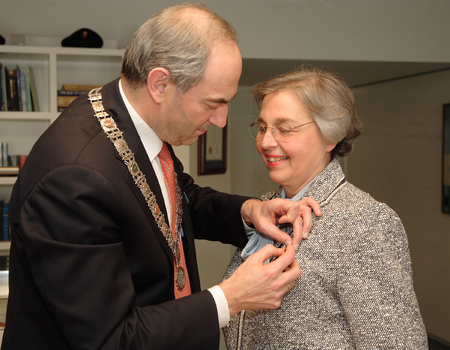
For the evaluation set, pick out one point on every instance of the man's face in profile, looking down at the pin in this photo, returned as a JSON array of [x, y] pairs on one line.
[[189, 115]]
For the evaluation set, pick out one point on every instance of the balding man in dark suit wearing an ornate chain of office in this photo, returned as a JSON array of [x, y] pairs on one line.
[[94, 264]]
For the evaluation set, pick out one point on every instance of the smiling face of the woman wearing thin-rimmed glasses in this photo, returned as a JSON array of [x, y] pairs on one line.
[[295, 162]]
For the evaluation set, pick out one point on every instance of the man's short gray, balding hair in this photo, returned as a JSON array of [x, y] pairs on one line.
[[180, 39]]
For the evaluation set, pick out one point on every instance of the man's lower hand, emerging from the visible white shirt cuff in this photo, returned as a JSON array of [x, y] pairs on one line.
[[257, 286]]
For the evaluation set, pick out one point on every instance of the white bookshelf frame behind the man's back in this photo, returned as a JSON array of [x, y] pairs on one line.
[[52, 67]]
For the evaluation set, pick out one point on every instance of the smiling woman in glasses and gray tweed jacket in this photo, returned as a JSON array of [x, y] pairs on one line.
[[356, 289]]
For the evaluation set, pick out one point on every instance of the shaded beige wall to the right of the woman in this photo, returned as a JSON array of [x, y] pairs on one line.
[[398, 160]]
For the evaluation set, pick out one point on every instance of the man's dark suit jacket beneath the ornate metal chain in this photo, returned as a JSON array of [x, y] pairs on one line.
[[89, 268]]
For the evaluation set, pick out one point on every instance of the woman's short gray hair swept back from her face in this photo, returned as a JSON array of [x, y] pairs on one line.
[[329, 100]]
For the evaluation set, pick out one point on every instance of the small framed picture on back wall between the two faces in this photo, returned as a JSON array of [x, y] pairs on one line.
[[212, 151]]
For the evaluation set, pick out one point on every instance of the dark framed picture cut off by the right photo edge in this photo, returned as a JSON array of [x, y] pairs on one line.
[[446, 161]]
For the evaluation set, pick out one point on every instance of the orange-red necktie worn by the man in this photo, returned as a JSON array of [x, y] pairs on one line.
[[169, 175]]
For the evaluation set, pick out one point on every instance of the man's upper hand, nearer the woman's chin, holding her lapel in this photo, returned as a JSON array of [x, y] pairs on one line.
[[266, 215]]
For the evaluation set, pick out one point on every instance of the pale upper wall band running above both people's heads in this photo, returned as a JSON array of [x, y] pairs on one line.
[[374, 30]]
